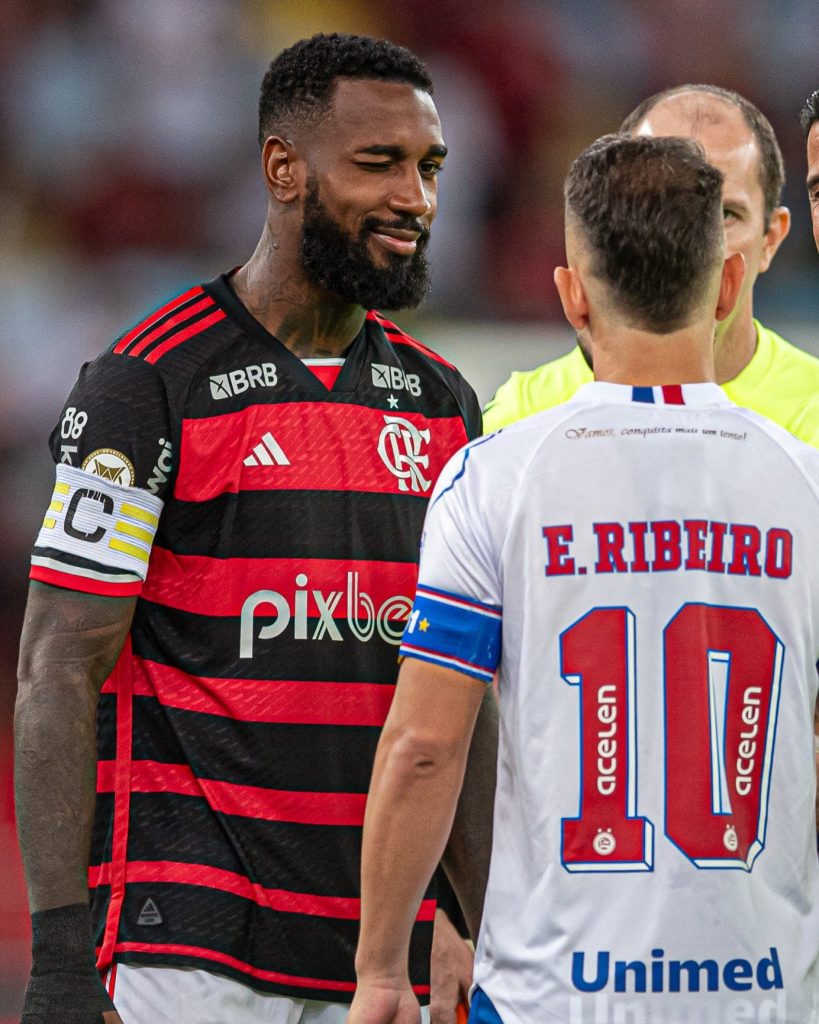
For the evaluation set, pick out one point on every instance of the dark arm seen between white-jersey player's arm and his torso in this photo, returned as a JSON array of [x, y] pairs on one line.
[[468, 851]]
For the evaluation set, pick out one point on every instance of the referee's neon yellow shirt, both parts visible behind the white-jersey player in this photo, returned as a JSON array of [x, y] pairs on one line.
[[781, 381]]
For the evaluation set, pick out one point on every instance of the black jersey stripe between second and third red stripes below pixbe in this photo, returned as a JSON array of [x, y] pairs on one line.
[[319, 860]]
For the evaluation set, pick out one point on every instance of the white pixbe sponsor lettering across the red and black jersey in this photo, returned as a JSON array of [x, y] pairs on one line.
[[316, 608]]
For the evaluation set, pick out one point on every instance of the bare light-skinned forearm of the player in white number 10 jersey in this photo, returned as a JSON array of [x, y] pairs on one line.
[[409, 817]]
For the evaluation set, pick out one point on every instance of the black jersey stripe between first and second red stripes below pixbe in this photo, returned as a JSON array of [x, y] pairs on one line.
[[334, 758]]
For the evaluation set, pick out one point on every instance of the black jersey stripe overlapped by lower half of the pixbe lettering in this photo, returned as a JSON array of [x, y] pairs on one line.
[[158, 631]]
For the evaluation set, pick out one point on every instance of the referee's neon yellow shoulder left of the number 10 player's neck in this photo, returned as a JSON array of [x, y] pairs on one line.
[[531, 392]]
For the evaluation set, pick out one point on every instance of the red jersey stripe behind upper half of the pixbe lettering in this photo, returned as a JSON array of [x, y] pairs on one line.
[[221, 586]]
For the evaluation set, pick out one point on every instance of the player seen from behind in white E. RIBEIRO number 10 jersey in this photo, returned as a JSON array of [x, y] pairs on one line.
[[640, 568]]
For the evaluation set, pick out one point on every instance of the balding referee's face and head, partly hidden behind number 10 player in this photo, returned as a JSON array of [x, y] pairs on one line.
[[731, 148]]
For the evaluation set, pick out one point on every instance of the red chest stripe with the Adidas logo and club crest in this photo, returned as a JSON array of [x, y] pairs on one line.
[[315, 447]]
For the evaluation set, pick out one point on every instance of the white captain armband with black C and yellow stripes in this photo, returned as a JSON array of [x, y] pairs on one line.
[[97, 535]]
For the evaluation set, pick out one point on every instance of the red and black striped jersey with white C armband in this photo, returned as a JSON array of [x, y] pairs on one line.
[[238, 731]]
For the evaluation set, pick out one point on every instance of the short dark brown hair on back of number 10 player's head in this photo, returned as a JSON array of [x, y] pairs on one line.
[[651, 211]]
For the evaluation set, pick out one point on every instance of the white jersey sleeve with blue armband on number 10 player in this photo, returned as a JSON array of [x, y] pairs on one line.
[[457, 613]]
